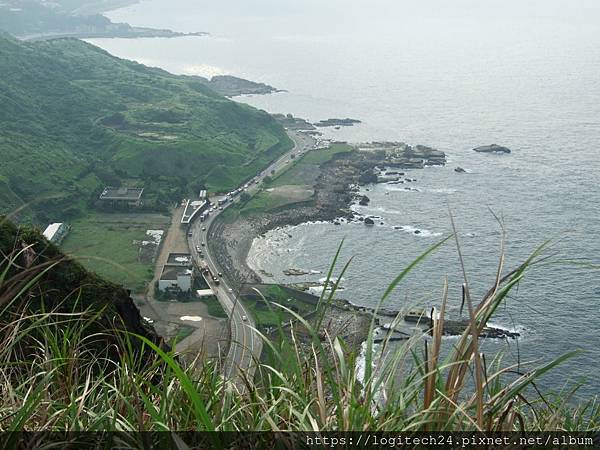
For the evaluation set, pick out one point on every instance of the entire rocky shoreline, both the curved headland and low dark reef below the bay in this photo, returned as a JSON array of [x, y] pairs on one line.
[[336, 189]]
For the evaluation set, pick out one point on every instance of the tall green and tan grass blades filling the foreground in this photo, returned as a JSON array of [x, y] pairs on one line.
[[305, 384]]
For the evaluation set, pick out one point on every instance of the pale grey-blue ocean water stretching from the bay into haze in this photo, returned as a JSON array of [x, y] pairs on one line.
[[453, 76]]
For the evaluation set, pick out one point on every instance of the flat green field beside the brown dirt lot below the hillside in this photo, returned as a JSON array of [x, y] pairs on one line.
[[103, 243]]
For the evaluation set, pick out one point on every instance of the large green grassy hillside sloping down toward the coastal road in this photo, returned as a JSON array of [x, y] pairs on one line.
[[74, 118]]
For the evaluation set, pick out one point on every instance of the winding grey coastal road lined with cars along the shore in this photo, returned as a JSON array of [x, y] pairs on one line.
[[246, 344]]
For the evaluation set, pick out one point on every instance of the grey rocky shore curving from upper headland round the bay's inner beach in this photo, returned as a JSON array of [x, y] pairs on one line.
[[336, 189]]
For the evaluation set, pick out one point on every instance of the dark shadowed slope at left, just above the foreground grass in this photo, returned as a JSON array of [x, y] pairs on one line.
[[39, 278]]
